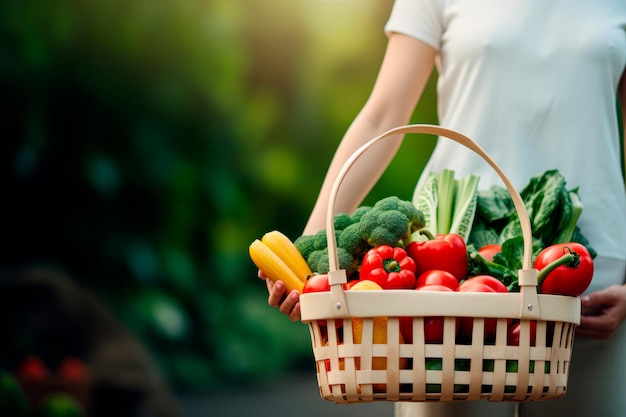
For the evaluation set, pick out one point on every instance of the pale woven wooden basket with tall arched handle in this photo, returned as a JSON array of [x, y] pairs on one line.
[[454, 370]]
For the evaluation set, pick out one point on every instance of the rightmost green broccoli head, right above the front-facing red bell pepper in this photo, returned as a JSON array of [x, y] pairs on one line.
[[390, 221]]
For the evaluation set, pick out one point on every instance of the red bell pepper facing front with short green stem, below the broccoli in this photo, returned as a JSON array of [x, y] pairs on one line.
[[389, 267]]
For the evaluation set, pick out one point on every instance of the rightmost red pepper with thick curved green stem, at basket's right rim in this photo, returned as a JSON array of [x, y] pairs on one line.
[[564, 269]]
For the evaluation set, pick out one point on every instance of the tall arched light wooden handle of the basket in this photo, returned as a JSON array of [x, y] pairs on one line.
[[527, 276]]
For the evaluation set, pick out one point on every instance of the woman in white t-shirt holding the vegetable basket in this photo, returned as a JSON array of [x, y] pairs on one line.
[[535, 83]]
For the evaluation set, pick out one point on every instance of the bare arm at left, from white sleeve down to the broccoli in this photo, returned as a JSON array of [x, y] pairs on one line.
[[404, 72]]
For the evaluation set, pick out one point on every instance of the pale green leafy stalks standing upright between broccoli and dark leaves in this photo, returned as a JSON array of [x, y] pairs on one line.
[[448, 204]]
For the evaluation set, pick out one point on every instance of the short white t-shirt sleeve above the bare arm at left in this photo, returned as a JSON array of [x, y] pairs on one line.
[[420, 19]]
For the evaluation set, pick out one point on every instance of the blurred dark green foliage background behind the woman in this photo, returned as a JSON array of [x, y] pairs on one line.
[[146, 144]]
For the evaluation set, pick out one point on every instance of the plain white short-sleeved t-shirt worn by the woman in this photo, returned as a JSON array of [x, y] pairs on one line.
[[534, 83]]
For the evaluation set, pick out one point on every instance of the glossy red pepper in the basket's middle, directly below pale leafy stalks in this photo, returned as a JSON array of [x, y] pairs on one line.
[[444, 252]]
